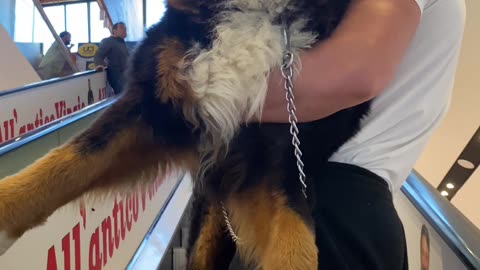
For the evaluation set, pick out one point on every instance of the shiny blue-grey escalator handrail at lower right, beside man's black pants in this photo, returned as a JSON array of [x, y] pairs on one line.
[[459, 233]]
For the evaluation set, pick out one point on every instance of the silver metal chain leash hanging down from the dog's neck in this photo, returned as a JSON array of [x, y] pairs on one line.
[[287, 74]]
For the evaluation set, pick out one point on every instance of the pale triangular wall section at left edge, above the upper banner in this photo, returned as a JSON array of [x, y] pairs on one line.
[[15, 71]]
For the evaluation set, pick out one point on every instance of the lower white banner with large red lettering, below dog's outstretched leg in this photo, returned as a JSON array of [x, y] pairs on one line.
[[100, 235]]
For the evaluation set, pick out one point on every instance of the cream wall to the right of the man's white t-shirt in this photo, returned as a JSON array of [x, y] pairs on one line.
[[460, 123]]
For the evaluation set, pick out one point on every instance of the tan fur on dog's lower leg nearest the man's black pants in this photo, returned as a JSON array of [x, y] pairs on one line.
[[272, 235]]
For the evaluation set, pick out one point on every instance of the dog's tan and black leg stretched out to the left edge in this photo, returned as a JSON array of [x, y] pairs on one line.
[[121, 147]]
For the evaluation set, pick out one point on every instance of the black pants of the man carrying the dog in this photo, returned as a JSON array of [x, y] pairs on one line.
[[357, 226]]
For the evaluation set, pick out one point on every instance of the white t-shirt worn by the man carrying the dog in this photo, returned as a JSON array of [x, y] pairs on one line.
[[405, 114]]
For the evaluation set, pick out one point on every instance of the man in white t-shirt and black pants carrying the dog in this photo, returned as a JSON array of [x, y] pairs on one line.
[[404, 54]]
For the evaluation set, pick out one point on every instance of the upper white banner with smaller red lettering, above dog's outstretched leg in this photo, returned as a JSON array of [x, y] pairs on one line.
[[24, 111]]
